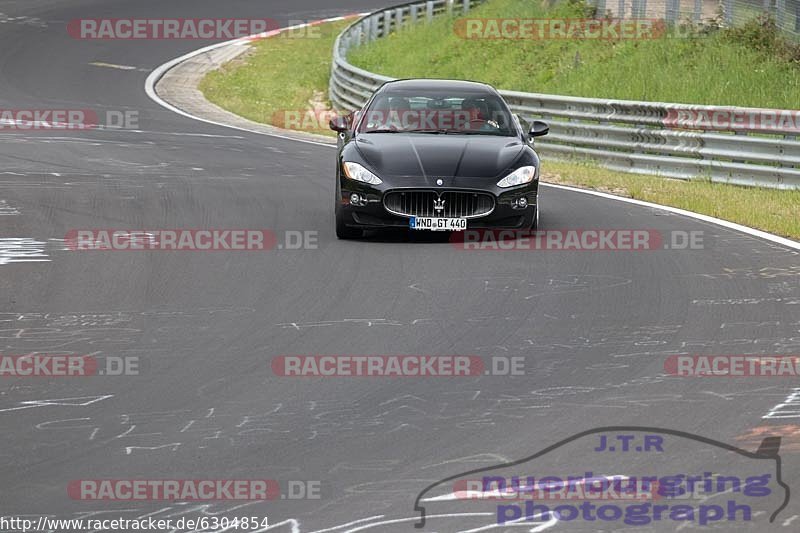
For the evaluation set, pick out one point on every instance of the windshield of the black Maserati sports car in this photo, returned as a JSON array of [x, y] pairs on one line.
[[409, 112]]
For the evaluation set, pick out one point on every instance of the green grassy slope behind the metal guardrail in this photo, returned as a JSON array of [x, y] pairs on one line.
[[718, 69]]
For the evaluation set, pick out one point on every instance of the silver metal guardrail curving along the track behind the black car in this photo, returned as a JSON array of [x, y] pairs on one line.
[[642, 137]]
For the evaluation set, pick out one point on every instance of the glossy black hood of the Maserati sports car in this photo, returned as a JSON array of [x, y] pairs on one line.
[[433, 156]]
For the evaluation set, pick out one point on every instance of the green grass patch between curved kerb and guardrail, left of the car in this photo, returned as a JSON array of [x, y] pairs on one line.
[[279, 74]]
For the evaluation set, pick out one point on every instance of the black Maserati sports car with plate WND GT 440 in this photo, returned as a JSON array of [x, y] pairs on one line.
[[438, 155]]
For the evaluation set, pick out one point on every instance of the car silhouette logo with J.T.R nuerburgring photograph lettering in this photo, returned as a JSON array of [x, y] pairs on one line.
[[506, 491]]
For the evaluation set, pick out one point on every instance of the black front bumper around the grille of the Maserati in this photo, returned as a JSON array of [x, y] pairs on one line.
[[374, 215]]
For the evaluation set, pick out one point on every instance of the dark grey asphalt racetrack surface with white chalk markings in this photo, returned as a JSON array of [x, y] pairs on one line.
[[594, 328]]
